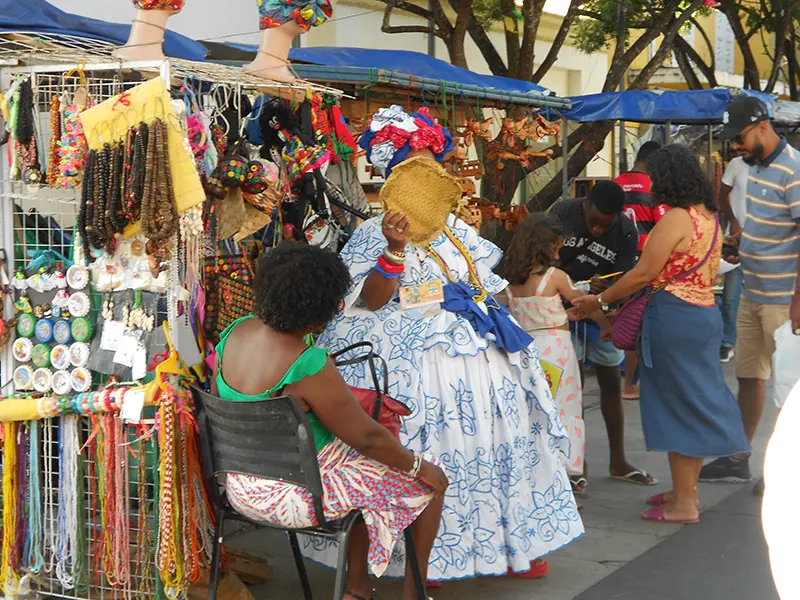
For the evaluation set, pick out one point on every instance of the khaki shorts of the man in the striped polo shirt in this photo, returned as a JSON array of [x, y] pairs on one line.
[[755, 331]]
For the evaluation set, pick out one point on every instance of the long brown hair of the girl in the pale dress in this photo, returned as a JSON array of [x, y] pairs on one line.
[[531, 247]]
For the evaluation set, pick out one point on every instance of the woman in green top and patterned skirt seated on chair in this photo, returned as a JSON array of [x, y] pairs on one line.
[[298, 289]]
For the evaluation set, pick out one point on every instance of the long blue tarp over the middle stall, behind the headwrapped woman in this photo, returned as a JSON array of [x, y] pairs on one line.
[[412, 63]]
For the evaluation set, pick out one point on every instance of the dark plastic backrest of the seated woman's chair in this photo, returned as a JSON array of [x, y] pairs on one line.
[[270, 439]]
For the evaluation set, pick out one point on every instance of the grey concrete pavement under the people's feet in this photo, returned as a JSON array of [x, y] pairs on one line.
[[621, 556]]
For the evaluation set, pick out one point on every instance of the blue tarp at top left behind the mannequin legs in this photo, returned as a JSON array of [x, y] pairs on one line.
[[38, 16]]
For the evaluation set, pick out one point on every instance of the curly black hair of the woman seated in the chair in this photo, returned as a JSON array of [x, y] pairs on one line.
[[299, 288]]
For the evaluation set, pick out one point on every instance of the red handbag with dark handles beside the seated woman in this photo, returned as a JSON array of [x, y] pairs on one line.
[[376, 402]]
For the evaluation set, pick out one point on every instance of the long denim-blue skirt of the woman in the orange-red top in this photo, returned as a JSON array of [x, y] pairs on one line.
[[685, 403]]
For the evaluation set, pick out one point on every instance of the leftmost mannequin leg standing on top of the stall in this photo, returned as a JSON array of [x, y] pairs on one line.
[[147, 30]]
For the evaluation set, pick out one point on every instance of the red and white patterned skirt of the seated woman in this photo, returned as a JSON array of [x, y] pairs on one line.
[[388, 499]]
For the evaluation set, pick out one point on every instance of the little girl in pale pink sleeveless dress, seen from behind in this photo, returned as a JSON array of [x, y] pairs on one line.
[[536, 294]]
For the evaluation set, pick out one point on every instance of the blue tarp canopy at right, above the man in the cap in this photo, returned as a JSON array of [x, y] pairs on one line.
[[675, 106]]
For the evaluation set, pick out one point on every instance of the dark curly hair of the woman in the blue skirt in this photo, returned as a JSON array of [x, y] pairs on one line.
[[677, 178]]
